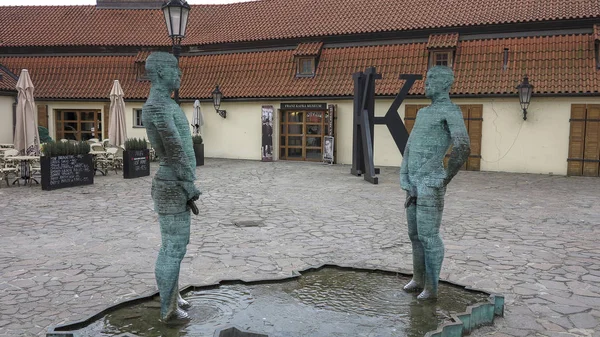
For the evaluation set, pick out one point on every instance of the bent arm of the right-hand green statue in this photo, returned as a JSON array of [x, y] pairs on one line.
[[461, 147]]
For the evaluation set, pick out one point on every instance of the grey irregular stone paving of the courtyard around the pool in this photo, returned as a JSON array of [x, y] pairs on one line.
[[69, 253]]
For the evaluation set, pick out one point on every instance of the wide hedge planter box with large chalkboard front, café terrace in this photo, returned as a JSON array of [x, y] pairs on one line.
[[66, 164]]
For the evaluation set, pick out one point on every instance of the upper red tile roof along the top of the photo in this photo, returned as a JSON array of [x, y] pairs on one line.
[[270, 19]]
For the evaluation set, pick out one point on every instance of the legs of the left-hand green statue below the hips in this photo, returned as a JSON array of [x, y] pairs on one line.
[[175, 233]]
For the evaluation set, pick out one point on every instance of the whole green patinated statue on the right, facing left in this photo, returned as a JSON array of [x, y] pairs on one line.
[[423, 177]]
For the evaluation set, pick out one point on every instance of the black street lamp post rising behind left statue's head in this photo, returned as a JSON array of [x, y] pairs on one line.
[[176, 14]]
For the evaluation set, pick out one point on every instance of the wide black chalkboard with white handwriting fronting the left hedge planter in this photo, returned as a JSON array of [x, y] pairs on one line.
[[66, 171]]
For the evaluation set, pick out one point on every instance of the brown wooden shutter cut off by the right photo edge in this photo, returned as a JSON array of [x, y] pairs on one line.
[[591, 150]]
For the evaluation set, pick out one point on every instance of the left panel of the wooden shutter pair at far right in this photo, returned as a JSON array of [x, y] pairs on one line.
[[576, 140]]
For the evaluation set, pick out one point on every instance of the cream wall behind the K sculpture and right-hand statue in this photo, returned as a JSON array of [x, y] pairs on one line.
[[509, 144]]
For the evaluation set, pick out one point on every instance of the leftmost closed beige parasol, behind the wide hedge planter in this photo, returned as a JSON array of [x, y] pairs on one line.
[[27, 138]]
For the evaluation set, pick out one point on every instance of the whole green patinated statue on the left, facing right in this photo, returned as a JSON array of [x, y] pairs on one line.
[[173, 188]]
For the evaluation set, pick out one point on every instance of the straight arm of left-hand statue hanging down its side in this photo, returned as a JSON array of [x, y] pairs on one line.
[[175, 155]]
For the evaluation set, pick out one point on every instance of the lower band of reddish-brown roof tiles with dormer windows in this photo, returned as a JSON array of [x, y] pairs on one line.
[[555, 65]]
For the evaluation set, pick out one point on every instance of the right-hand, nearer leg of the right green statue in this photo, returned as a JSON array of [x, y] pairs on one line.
[[430, 207]]
